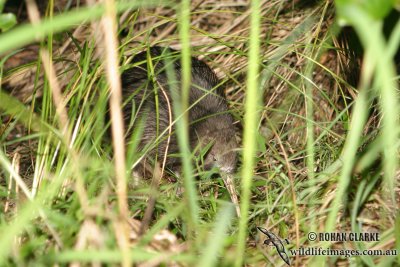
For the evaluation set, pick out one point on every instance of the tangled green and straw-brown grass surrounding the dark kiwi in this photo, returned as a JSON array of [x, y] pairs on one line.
[[317, 154]]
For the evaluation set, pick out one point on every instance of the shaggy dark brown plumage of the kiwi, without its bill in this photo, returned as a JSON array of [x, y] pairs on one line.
[[209, 119]]
